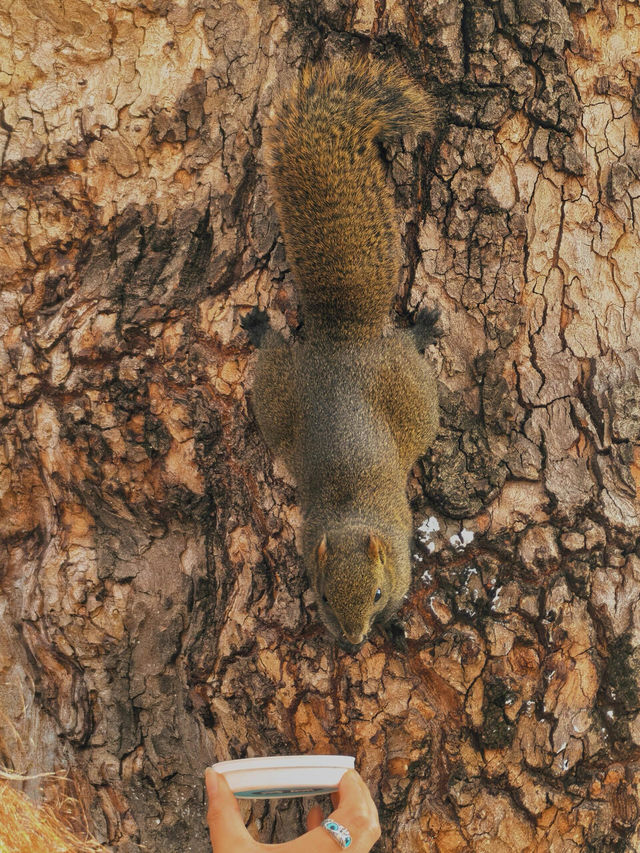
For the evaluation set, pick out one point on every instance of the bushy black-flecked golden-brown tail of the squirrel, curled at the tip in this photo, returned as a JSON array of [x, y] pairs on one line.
[[335, 209]]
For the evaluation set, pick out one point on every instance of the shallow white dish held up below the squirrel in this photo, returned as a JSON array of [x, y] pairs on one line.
[[277, 776]]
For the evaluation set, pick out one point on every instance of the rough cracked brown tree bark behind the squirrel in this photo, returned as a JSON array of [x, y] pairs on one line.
[[155, 615]]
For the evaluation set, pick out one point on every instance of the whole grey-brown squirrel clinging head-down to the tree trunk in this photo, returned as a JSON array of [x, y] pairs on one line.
[[351, 405]]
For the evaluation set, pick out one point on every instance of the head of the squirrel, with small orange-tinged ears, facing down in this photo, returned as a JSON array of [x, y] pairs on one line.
[[355, 574]]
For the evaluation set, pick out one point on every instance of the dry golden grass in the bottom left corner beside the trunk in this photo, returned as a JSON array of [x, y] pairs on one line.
[[28, 828]]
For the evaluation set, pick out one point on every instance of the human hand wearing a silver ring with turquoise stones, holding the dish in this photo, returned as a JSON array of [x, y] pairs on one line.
[[353, 808]]
